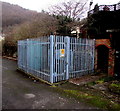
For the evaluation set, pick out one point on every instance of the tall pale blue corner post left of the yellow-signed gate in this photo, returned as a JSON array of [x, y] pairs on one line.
[[51, 57]]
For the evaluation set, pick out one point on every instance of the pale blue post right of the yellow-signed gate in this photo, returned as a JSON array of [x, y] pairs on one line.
[[67, 57]]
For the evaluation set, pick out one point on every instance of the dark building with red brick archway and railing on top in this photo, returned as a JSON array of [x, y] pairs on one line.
[[104, 26]]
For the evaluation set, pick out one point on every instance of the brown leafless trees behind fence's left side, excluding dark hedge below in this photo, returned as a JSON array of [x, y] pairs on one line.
[[42, 25]]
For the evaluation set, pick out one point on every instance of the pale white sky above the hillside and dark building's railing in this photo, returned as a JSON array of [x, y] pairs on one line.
[[38, 5]]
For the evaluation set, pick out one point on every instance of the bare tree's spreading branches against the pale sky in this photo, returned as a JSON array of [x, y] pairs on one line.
[[73, 9]]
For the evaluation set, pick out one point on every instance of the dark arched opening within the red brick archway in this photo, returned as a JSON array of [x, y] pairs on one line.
[[102, 58]]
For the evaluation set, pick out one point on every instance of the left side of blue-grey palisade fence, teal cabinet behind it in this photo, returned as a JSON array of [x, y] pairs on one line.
[[33, 57]]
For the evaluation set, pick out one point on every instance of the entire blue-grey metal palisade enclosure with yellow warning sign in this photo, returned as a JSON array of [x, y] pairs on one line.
[[56, 58]]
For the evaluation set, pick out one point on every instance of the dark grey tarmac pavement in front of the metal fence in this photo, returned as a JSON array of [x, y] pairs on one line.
[[20, 92]]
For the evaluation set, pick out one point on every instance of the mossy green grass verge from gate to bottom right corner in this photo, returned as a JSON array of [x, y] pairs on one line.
[[88, 96]]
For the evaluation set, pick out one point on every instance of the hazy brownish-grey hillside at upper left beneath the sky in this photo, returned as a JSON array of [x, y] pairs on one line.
[[14, 14]]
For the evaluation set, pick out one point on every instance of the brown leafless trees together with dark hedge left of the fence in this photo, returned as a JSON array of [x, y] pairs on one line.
[[42, 25]]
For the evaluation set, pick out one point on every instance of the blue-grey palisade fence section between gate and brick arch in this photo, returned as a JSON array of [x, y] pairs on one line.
[[82, 57]]
